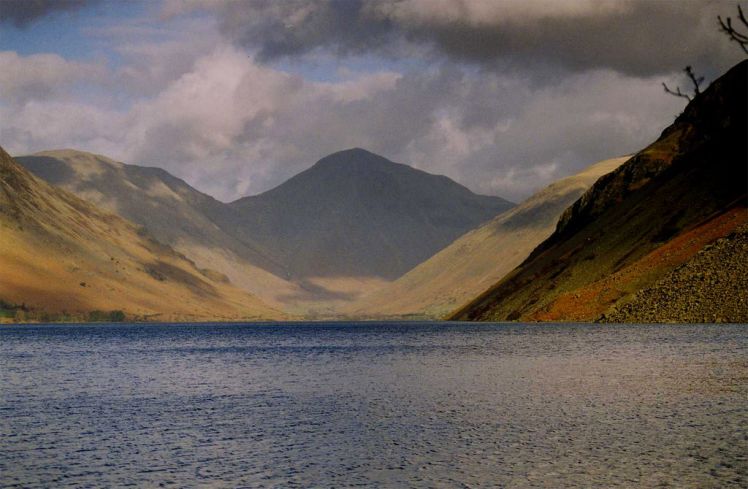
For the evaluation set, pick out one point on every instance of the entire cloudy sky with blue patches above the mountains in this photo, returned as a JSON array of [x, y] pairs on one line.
[[503, 96]]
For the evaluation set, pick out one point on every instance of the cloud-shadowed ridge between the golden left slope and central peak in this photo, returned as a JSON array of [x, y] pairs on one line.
[[170, 210]]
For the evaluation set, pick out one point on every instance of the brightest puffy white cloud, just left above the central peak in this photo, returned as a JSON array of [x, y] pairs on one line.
[[231, 124]]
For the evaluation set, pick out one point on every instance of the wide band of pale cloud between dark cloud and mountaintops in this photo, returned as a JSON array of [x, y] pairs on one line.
[[231, 125]]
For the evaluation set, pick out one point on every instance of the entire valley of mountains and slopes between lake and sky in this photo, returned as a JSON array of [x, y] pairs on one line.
[[357, 236]]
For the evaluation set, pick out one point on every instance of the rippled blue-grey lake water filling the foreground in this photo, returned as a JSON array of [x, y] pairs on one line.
[[378, 405]]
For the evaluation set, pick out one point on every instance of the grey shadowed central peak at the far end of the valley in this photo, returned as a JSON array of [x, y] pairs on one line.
[[357, 214]]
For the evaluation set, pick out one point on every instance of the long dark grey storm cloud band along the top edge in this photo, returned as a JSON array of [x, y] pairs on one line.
[[635, 37]]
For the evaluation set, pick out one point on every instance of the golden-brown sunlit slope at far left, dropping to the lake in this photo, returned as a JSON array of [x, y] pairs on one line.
[[62, 257]]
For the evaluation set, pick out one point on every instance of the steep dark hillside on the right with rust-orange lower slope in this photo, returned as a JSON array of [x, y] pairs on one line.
[[637, 225]]
